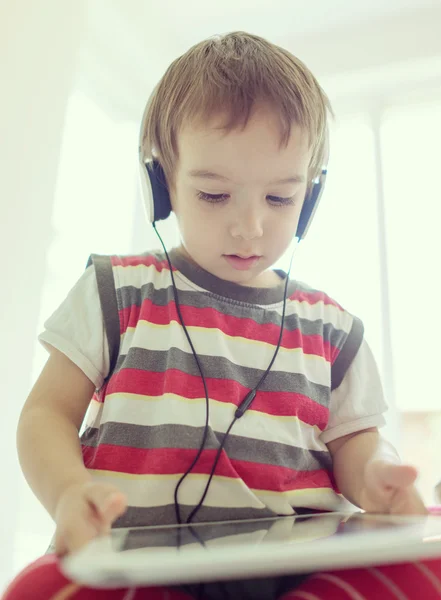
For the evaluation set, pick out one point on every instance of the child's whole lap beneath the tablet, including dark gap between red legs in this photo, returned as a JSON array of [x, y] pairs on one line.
[[43, 580]]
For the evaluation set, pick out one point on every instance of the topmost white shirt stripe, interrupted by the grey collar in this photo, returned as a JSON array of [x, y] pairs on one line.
[[141, 275]]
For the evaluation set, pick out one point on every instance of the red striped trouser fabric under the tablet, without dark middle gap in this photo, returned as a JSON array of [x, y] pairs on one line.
[[43, 580]]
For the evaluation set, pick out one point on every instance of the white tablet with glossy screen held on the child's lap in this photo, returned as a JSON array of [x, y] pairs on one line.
[[202, 552]]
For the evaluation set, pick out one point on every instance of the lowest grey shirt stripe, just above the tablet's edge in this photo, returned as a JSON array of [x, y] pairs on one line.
[[165, 515]]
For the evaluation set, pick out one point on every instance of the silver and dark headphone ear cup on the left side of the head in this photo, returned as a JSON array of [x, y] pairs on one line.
[[155, 193]]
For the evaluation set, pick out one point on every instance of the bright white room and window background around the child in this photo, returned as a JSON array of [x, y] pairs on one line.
[[75, 78]]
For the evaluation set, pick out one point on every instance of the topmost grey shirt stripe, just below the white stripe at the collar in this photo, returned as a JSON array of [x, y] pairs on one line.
[[131, 296]]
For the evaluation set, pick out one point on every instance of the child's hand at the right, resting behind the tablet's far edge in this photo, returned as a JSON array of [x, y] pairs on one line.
[[389, 488]]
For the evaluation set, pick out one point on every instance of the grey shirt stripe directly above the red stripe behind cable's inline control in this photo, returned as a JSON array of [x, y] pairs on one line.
[[221, 368]]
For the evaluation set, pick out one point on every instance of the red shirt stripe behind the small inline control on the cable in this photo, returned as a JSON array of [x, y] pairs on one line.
[[173, 381]]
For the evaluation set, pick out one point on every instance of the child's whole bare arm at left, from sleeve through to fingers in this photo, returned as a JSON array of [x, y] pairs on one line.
[[50, 455]]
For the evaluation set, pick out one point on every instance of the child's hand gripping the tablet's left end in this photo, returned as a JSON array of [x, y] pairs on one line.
[[85, 511]]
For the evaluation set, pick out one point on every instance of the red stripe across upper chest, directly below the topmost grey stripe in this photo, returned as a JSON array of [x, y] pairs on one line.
[[210, 318]]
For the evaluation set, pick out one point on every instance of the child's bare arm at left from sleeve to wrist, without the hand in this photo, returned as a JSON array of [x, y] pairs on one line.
[[47, 436]]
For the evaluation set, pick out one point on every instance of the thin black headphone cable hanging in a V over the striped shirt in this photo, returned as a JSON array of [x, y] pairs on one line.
[[244, 405]]
